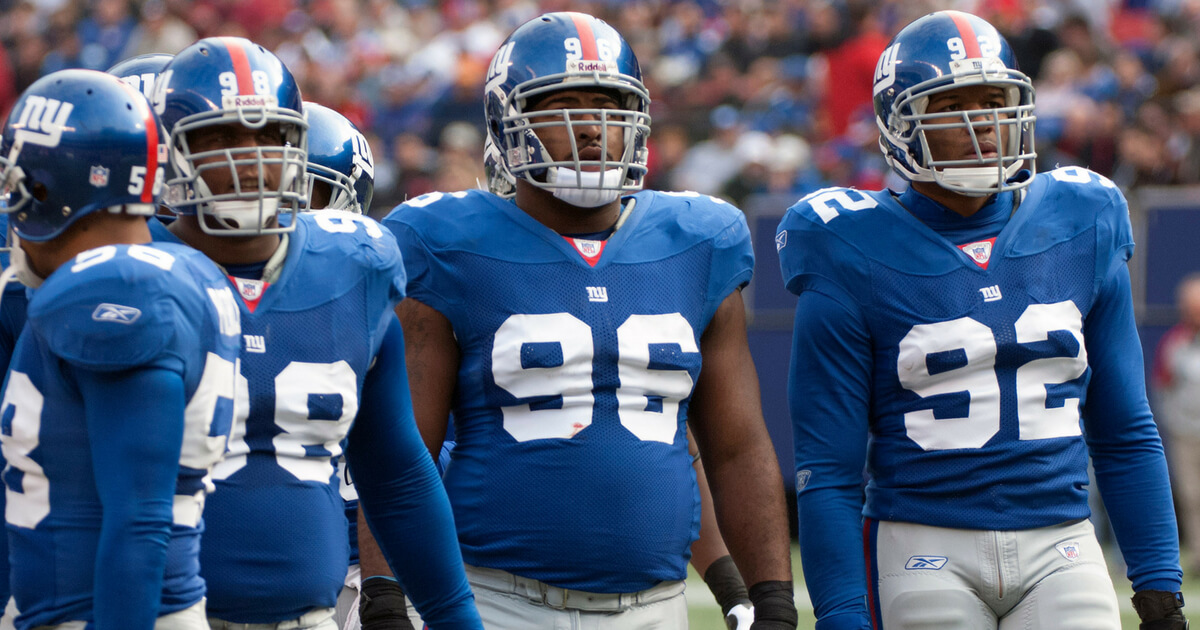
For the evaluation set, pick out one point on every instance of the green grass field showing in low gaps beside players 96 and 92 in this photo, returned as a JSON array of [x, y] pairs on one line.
[[705, 615]]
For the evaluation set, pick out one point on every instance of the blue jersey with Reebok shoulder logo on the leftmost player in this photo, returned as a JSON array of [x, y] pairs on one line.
[[111, 310]]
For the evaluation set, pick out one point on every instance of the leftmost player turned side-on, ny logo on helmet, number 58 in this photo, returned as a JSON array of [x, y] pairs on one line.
[[121, 391]]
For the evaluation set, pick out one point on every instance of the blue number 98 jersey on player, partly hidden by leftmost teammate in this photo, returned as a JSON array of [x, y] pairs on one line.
[[275, 544]]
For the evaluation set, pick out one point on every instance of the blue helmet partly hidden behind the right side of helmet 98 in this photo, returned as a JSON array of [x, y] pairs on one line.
[[339, 161]]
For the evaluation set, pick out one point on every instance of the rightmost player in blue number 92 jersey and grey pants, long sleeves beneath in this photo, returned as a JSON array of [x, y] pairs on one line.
[[970, 343]]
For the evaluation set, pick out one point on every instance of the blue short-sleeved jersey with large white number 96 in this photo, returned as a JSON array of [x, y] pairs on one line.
[[572, 464]]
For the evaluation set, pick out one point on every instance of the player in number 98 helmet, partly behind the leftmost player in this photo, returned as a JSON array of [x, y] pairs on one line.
[[323, 363]]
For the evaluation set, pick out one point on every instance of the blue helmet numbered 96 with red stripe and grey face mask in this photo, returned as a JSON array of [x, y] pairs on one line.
[[556, 52]]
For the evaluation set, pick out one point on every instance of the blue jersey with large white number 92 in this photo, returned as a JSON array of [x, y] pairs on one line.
[[979, 374]]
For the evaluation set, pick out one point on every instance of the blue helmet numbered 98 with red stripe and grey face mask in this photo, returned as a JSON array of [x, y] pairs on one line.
[[231, 81]]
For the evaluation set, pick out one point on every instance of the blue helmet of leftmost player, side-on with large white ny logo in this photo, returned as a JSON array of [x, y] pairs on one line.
[[77, 142]]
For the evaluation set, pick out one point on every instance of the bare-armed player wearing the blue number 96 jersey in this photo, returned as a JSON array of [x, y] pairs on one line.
[[566, 331]]
